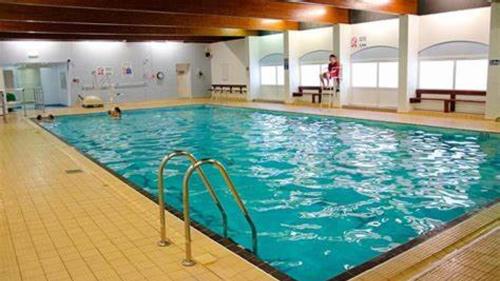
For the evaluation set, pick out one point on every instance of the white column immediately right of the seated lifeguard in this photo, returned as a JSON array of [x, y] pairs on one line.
[[342, 49]]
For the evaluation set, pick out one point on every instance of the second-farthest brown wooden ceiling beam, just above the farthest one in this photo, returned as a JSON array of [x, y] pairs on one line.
[[14, 26]]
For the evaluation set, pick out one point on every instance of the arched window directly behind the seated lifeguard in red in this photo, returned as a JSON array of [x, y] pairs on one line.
[[312, 65]]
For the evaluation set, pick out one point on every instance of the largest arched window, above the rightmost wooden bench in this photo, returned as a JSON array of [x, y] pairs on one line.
[[461, 65]]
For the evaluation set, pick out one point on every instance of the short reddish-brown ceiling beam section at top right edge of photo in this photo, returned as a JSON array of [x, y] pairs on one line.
[[379, 6]]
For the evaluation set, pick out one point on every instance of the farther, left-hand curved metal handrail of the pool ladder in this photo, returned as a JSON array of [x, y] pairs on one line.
[[161, 195]]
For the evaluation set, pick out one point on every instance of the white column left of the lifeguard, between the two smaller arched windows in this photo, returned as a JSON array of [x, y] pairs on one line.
[[291, 56]]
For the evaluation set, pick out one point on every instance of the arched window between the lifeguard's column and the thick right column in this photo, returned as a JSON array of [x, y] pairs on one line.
[[375, 67]]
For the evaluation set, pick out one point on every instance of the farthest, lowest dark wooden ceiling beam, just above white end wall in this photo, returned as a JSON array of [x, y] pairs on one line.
[[113, 37]]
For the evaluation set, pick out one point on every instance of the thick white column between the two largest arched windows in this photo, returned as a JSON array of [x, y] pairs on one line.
[[408, 60]]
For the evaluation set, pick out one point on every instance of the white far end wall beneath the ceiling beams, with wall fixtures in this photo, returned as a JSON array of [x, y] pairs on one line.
[[146, 58]]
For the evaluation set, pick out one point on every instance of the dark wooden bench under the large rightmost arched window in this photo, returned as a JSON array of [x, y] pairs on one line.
[[450, 97]]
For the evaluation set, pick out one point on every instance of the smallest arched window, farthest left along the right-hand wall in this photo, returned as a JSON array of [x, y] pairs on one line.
[[271, 70]]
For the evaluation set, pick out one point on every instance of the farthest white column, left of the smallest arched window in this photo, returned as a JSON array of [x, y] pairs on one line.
[[253, 69]]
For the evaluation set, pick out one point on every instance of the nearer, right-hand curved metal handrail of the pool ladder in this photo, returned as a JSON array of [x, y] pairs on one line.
[[188, 261]]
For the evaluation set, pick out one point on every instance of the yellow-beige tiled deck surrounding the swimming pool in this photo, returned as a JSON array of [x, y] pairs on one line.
[[63, 217]]
